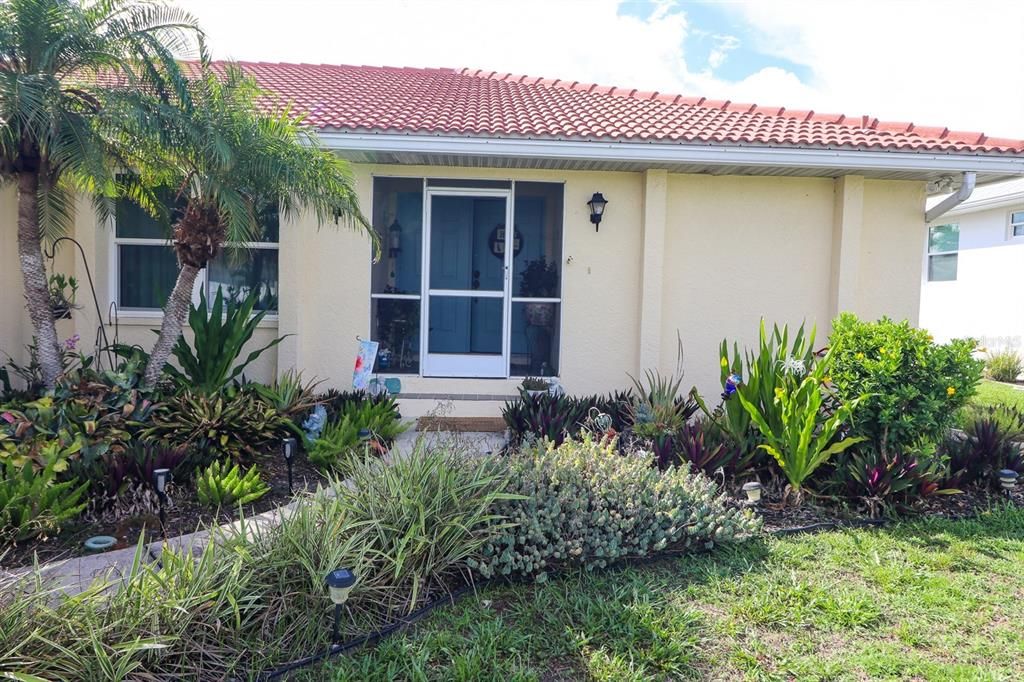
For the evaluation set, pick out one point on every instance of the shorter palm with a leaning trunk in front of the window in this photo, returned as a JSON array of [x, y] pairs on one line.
[[226, 162]]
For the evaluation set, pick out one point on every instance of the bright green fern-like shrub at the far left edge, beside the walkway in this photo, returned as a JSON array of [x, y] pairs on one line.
[[33, 503]]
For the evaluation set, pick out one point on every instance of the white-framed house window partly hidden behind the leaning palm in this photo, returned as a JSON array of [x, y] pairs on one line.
[[148, 269]]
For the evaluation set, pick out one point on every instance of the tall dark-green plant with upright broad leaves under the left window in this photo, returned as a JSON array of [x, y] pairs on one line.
[[221, 334]]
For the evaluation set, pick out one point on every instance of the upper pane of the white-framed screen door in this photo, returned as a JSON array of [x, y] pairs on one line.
[[467, 243]]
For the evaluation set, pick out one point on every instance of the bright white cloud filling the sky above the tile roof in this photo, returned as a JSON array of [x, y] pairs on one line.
[[933, 63]]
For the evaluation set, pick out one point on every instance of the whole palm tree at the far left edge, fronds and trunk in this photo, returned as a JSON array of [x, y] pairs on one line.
[[56, 139]]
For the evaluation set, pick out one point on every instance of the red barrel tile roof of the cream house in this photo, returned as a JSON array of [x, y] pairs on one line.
[[447, 102]]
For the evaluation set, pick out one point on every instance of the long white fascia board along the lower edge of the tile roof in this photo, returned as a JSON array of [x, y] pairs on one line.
[[663, 153]]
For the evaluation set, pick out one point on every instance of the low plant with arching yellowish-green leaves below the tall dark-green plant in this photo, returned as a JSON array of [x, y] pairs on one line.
[[238, 427]]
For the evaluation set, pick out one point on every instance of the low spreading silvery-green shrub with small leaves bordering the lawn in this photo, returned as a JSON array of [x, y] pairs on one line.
[[583, 505]]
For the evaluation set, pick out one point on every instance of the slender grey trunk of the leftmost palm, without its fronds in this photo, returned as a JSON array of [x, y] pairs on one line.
[[30, 254]]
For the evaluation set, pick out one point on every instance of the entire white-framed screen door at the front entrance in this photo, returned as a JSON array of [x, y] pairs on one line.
[[466, 266]]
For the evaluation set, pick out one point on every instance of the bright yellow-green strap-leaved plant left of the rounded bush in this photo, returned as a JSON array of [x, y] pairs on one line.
[[799, 433]]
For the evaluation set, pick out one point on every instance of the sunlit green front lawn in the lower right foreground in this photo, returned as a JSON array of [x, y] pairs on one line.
[[929, 601]]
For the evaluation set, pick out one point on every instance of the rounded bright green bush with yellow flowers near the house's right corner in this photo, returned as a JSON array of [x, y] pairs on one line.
[[914, 387]]
